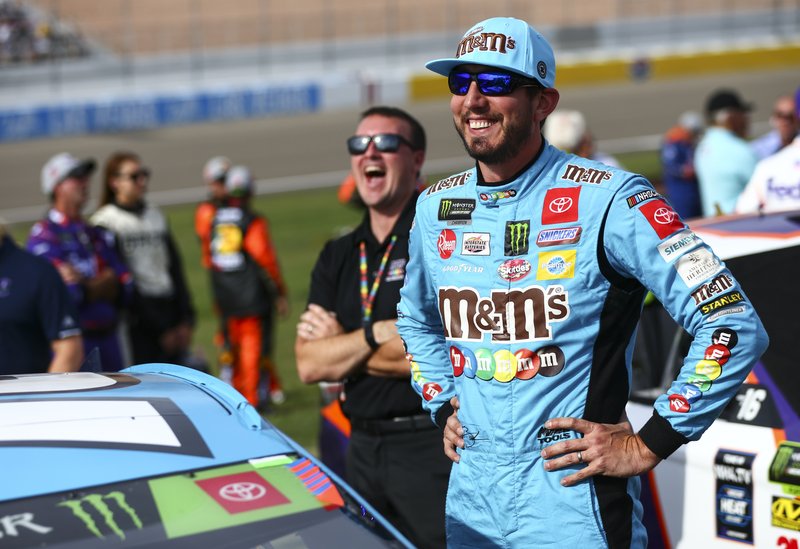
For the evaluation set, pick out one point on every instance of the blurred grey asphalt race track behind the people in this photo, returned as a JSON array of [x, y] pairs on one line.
[[307, 151]]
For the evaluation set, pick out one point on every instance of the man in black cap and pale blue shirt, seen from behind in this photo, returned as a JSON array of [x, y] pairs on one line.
[[723, 160]]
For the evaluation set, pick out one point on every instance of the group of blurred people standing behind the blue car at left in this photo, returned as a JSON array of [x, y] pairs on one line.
[[108, 290]]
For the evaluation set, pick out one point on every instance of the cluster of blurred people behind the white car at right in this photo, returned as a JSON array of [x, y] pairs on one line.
[[716, 170]]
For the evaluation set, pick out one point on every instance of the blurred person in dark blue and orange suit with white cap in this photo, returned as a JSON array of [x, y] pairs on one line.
[[677, 160]]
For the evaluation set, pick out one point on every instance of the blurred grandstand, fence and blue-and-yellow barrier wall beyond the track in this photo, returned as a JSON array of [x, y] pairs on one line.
[[80, 66]]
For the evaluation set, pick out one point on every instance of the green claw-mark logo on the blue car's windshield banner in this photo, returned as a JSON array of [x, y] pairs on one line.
[[109, 508]]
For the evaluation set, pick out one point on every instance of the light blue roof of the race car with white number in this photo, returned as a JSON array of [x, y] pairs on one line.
[[65, 431]]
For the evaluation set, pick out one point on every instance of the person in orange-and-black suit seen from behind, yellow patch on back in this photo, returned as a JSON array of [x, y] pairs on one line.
[[248, 286]]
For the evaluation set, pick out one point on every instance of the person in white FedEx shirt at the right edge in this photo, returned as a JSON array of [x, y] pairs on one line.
[[775, 185]]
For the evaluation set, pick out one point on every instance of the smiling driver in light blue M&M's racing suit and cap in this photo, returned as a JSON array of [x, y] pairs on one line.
[[522, 295]]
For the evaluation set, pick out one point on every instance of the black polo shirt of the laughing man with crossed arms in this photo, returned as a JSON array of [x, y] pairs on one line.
[[335, 285]]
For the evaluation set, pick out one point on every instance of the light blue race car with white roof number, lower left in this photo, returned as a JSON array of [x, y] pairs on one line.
[[163, 456]]
